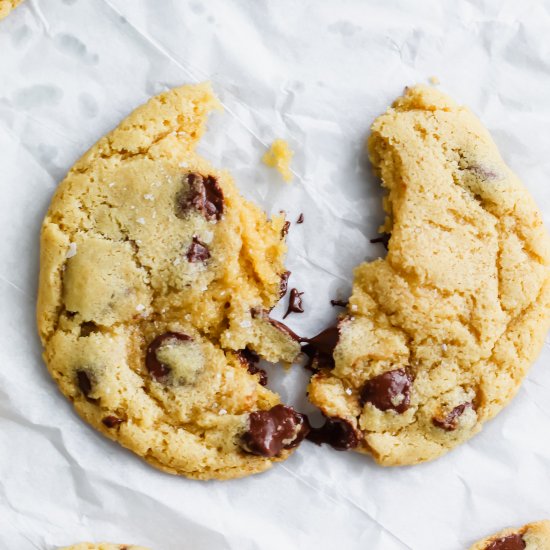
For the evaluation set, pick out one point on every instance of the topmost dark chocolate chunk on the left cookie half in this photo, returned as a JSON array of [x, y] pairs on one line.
[[203, 194]]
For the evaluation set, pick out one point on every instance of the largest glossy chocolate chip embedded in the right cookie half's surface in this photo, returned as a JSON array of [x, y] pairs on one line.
[[390, 390]]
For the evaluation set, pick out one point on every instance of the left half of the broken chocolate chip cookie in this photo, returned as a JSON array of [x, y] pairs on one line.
[[156, 282]]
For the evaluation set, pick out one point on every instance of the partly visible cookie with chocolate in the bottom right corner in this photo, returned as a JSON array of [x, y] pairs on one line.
[[533, 536]]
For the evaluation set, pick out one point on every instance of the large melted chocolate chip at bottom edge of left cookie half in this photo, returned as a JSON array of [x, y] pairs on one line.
[[271, 431]]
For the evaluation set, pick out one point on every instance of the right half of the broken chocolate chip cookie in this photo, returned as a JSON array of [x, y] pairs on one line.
[[439, 334]]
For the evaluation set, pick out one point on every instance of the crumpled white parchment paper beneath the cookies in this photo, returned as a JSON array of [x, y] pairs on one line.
[[317, 73]]
